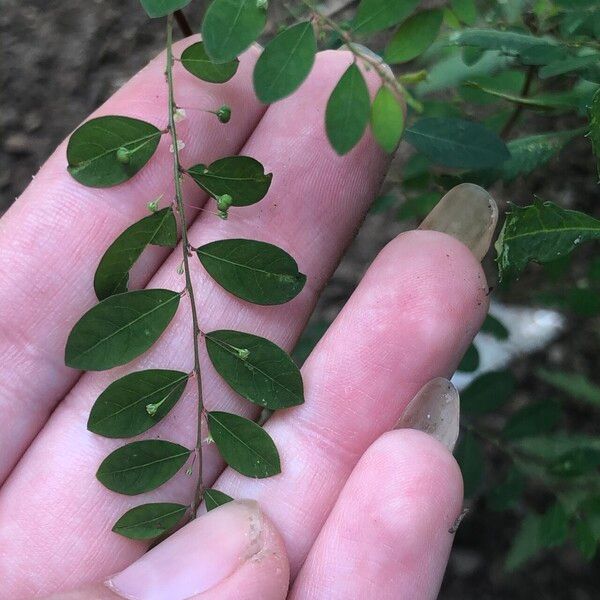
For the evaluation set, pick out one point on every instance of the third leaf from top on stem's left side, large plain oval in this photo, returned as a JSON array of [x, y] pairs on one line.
[[120, 328]]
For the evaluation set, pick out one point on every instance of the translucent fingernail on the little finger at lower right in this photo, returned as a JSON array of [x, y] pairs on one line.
[[436, 411]]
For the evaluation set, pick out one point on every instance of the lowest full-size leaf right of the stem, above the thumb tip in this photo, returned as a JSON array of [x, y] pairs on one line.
[[244, 445]]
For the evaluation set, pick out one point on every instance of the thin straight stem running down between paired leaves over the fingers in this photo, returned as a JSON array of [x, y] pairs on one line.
[[177, 171]]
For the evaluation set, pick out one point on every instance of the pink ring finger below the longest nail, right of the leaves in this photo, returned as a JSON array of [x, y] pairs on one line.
[[409, 321]]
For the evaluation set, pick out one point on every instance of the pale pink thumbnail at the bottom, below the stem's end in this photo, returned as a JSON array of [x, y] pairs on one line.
[[197, 557]]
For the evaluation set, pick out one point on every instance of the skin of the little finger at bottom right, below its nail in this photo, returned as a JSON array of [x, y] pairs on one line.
[[387, 536]]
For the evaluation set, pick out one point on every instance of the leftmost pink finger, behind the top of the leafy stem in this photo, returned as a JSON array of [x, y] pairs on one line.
[[53, 236]]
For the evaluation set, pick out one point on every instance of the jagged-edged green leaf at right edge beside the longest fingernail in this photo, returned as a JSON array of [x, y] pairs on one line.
[[541, 232]]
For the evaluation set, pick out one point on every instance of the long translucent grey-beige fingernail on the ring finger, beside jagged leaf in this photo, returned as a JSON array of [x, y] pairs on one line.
[[468, 213]]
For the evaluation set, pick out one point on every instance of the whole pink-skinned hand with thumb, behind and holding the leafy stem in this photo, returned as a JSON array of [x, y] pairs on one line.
[[360, 510]]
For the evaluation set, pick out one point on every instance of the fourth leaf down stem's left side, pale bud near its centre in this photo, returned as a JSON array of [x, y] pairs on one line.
[[136, 402]]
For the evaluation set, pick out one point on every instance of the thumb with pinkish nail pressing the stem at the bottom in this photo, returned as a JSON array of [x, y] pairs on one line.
[[232, 553]]
